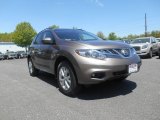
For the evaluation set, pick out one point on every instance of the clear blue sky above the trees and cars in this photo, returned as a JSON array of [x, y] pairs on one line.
[[123, 17]]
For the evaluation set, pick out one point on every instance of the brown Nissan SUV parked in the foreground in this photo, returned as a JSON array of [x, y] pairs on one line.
[[78, 57]]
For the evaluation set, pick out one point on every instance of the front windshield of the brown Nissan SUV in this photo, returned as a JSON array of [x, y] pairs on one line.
[[75, 35]]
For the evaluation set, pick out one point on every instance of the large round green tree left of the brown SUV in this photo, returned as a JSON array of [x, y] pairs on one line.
[[23, 34]]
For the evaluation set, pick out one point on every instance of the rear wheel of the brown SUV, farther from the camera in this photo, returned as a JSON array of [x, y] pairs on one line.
[[32, 70]]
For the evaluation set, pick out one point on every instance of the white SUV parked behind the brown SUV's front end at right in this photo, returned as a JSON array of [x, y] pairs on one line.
[[145, 46]]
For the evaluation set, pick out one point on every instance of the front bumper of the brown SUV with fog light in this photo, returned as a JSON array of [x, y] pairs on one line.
[[93, 71]]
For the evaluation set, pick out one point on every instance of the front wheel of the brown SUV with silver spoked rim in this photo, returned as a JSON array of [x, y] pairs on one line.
[[66, 79]]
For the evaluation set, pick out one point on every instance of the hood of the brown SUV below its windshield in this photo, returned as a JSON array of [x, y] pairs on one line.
[[101, 44]]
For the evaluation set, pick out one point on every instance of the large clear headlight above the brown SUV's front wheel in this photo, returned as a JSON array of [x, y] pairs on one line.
[[97, 54]]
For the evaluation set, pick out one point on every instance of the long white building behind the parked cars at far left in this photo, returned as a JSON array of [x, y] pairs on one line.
[[10, 46]]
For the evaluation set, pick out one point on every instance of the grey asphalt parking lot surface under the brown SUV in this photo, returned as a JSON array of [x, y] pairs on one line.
[[37, 98]]
